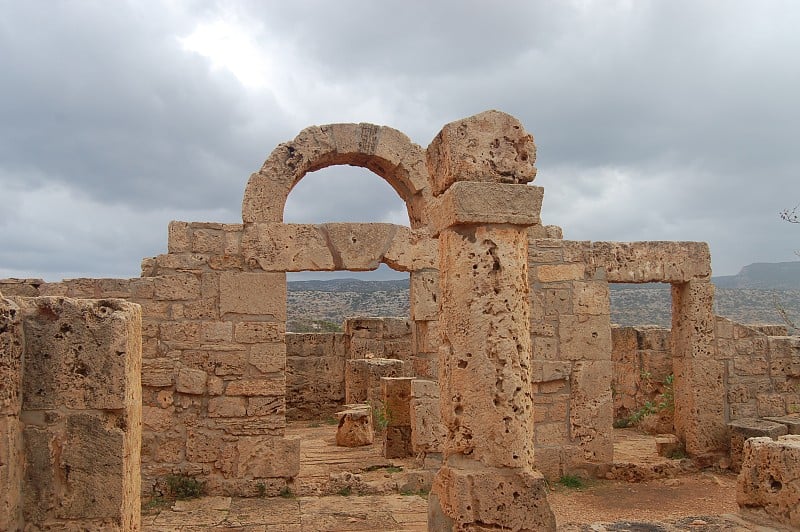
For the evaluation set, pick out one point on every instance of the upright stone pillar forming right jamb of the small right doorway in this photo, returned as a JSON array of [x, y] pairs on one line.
[[699, 387]]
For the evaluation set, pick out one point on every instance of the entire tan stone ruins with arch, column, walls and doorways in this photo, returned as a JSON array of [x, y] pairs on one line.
[[506, 373]]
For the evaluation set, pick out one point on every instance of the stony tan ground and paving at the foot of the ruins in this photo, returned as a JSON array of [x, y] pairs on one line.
[[342, 489]]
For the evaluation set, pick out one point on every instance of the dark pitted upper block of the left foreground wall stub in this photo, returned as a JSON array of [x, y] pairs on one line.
[[79, 353]]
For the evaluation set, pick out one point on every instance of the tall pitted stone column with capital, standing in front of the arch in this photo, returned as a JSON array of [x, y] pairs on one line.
[[487, 480]]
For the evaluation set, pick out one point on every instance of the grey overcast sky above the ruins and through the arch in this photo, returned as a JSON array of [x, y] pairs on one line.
[[670, 120]]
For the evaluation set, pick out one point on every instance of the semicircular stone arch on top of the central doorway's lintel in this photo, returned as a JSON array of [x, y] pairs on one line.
[[383, 150]]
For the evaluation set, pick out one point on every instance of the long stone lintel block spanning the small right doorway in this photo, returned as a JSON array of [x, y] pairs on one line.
[[644, 262]]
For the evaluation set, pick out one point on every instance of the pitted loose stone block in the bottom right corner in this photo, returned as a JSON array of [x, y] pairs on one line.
[[768, 483]]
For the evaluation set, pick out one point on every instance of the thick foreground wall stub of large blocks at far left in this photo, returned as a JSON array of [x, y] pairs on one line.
[[71, 413]]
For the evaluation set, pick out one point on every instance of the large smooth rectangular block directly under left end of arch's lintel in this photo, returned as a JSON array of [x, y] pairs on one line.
[[259, 294]]
